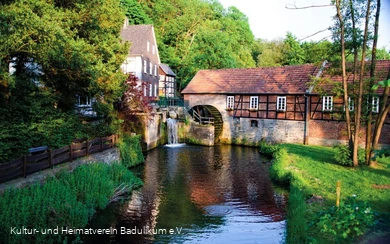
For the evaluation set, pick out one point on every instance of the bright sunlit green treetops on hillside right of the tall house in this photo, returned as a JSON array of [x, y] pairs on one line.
[[199, 34]]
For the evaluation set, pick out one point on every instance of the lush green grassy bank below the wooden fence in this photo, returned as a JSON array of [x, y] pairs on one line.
[[38, 208]]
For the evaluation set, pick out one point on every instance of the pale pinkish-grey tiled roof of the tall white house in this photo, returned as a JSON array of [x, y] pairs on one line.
[[138, 35]]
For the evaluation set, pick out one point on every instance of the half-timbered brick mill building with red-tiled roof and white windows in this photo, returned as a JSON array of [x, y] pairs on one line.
[[277, 104]]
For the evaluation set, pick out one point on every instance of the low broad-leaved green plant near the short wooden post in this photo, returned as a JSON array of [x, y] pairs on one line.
[[351, 219]]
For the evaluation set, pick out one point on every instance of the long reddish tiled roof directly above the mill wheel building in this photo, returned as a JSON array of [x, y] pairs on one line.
[[270, 80]]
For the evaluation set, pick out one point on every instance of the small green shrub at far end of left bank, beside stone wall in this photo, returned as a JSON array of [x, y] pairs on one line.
[[131, 151]]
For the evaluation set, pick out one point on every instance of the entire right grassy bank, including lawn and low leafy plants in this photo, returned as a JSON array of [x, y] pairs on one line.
[[312, 174]]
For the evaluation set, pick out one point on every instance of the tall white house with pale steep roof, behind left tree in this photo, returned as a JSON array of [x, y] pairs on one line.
[[143, 59]]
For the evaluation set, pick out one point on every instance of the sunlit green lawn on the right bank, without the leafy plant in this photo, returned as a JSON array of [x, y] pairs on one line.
[[314, 171]]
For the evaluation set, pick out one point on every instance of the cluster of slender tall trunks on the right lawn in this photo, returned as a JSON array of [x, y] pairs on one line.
[[350, 14]]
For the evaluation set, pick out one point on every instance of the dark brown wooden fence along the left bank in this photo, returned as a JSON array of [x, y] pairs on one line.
[[29, 164]]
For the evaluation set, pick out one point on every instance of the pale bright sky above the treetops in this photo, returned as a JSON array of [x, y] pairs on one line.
[[270, 19]]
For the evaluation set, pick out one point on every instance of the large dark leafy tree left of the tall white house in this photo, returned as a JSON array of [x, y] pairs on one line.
[[57, 49]]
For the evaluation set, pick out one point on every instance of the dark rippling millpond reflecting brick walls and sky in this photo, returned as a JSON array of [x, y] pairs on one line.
[[195, 194]]
